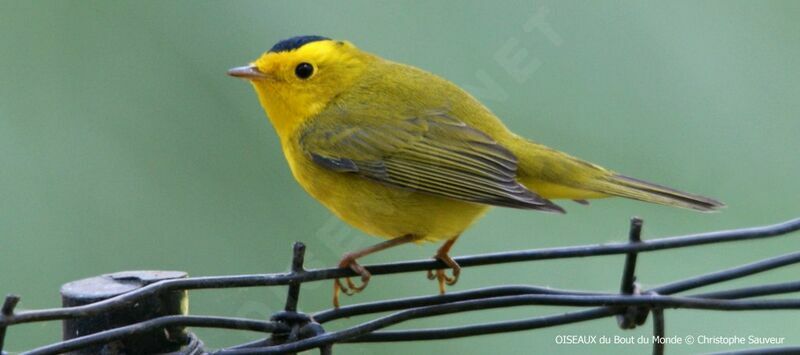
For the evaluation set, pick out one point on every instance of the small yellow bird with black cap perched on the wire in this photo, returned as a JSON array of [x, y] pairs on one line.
[[405, 155]]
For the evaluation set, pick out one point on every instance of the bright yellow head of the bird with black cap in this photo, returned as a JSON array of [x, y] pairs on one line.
[[299, 76]]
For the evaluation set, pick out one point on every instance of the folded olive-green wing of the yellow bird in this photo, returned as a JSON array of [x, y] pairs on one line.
[[432, 153]]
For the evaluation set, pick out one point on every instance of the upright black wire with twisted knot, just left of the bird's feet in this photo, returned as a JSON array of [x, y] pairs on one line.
[[300, 325]]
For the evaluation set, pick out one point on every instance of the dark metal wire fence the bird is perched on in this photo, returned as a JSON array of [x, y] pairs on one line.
[[291, 331]]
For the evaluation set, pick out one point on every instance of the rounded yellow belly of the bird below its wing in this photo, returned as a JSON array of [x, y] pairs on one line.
[[381, 210]]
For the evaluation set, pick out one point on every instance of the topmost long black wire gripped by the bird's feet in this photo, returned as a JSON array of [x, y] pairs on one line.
[[400, 267]]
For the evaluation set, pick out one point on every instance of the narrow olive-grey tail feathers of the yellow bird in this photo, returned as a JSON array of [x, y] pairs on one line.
[[624, 186]]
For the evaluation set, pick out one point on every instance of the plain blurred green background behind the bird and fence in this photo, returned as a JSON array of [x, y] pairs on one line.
[[124, 146]]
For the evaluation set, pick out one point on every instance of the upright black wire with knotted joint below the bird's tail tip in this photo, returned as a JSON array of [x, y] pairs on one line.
[[632, 316]]
